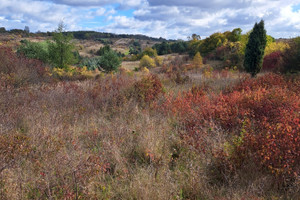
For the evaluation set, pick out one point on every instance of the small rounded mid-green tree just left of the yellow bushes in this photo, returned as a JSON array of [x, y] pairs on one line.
[[110, 61]]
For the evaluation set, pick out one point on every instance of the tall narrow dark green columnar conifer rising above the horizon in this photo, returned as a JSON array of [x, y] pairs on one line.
[[255, 48]]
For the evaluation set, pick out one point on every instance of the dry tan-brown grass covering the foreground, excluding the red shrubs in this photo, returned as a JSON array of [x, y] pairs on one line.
[[94, 139]]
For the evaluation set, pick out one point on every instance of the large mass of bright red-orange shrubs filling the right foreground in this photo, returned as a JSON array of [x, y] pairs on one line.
[[263, 112]]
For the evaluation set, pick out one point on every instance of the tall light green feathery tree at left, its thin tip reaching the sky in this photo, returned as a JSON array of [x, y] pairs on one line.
[[61, 49]]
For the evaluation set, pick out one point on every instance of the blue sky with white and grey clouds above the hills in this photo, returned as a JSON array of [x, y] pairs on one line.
[[171, 19]]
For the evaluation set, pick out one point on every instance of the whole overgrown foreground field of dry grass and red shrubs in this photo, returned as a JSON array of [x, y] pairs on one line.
[[165, 134]]
